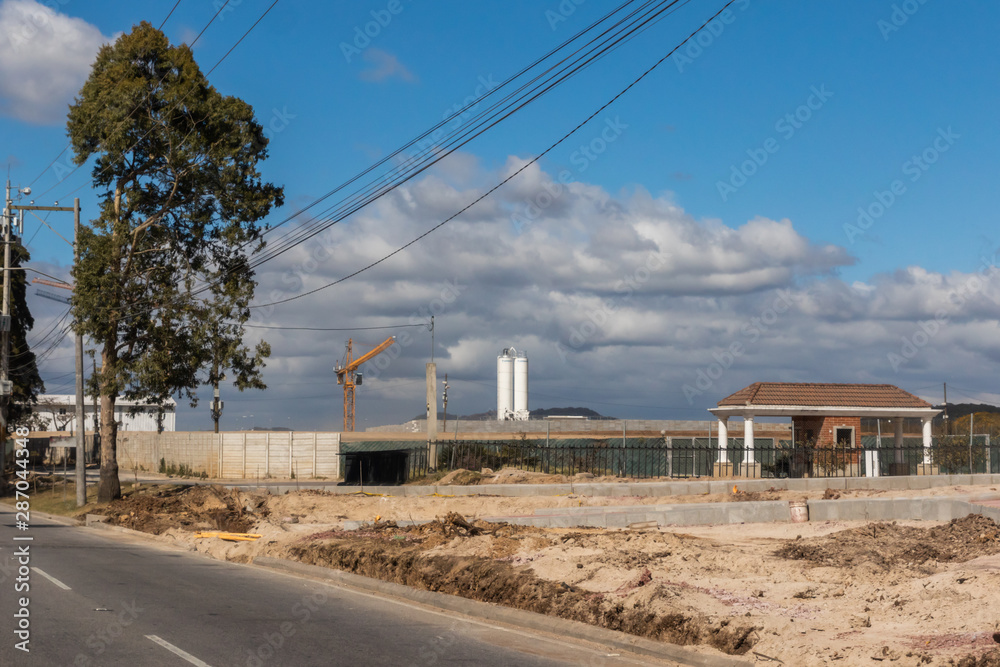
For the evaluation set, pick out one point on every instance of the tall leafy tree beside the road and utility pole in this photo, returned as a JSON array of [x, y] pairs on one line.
[[162, 280]]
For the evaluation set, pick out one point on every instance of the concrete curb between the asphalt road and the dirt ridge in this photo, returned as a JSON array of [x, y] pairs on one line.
[[493, 612]]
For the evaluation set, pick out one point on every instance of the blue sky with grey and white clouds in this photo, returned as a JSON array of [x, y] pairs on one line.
[[727, 187]]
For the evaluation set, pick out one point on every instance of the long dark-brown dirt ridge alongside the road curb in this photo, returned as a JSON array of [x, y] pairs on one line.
[[400, 555]]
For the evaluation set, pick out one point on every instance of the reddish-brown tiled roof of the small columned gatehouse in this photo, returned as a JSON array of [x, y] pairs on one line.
[[824, 394]]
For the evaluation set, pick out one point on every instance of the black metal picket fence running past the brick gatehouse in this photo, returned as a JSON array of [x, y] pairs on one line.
[[700, 457]]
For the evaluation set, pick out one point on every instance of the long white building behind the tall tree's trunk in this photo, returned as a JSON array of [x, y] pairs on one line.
[[60, 411]]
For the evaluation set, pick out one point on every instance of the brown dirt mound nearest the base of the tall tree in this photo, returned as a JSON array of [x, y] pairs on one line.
[[158, 509]]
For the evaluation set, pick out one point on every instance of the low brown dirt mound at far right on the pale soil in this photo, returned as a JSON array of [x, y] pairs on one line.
[[888, 545]]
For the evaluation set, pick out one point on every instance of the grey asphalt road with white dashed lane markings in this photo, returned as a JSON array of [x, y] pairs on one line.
[[100, 600]]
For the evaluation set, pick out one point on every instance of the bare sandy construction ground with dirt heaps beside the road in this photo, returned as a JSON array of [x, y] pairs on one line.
[[817, 593]]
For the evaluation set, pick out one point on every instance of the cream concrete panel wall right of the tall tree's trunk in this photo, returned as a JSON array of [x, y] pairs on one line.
[[240, 455]]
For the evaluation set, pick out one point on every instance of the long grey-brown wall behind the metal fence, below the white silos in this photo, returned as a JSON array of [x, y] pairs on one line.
[[602, 426]]
